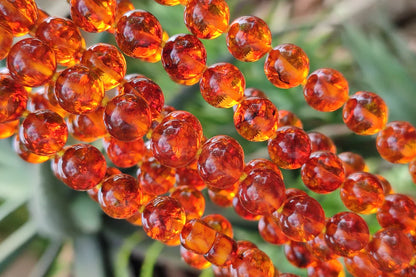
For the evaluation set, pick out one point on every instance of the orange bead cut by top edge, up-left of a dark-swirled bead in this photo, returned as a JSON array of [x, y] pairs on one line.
[[93, 16]]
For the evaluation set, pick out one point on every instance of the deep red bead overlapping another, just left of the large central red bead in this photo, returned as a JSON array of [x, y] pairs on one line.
[[127, 117]]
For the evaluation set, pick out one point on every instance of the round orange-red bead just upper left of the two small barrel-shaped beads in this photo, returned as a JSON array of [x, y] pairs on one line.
[[163, 218]]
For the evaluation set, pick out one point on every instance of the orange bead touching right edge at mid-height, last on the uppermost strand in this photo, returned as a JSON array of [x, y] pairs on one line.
[[397, 142]]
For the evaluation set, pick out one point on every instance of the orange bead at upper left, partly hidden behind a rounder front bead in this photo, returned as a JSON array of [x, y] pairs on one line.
[[64, 37]]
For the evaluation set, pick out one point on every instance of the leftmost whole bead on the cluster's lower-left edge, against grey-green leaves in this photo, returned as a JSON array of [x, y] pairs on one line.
[[43, 132]]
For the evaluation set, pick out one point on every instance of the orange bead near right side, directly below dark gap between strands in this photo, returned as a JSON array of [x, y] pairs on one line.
[[362, 193]]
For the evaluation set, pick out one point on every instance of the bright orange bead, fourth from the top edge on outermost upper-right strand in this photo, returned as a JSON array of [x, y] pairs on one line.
[[326, 90]]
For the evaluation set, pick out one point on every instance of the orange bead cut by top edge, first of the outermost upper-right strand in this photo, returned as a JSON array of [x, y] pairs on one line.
[[206, 19]]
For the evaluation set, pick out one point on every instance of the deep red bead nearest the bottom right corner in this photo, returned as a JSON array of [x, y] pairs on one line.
[[390, 250]]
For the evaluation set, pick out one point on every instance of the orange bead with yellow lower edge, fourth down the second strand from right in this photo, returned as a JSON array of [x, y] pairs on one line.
[[222, 85]]
